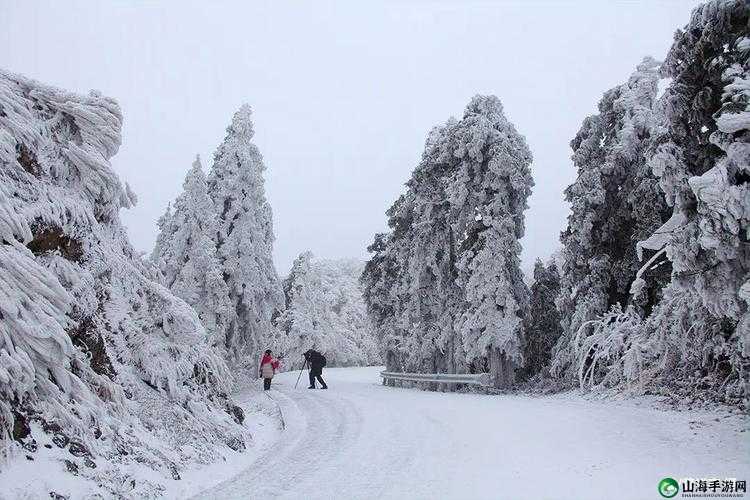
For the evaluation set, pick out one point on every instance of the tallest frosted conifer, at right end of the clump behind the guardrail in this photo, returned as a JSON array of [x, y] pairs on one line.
[[488, 196]]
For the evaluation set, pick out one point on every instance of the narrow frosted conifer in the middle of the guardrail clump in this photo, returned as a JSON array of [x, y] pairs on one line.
[[432, 299]]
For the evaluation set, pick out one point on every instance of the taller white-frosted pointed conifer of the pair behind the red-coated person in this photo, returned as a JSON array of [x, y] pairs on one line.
[[245, 239]]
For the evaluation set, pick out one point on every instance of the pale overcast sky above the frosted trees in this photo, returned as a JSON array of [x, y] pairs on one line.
[[344, 93]]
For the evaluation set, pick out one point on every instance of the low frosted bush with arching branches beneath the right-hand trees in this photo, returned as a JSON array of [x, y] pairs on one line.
[[680, 350]]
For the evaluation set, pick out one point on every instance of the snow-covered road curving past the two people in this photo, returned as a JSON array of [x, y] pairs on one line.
[[363, 440]]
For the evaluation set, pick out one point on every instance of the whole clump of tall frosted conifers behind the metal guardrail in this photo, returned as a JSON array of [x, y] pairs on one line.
[[444, 287]]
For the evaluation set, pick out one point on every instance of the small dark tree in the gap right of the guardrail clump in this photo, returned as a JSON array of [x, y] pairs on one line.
[[541, 325]]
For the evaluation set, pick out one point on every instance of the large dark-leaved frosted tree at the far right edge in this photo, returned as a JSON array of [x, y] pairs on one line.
[[703, 166]]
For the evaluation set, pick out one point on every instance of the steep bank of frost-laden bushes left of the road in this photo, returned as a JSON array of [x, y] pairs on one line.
[[91, 349]]
